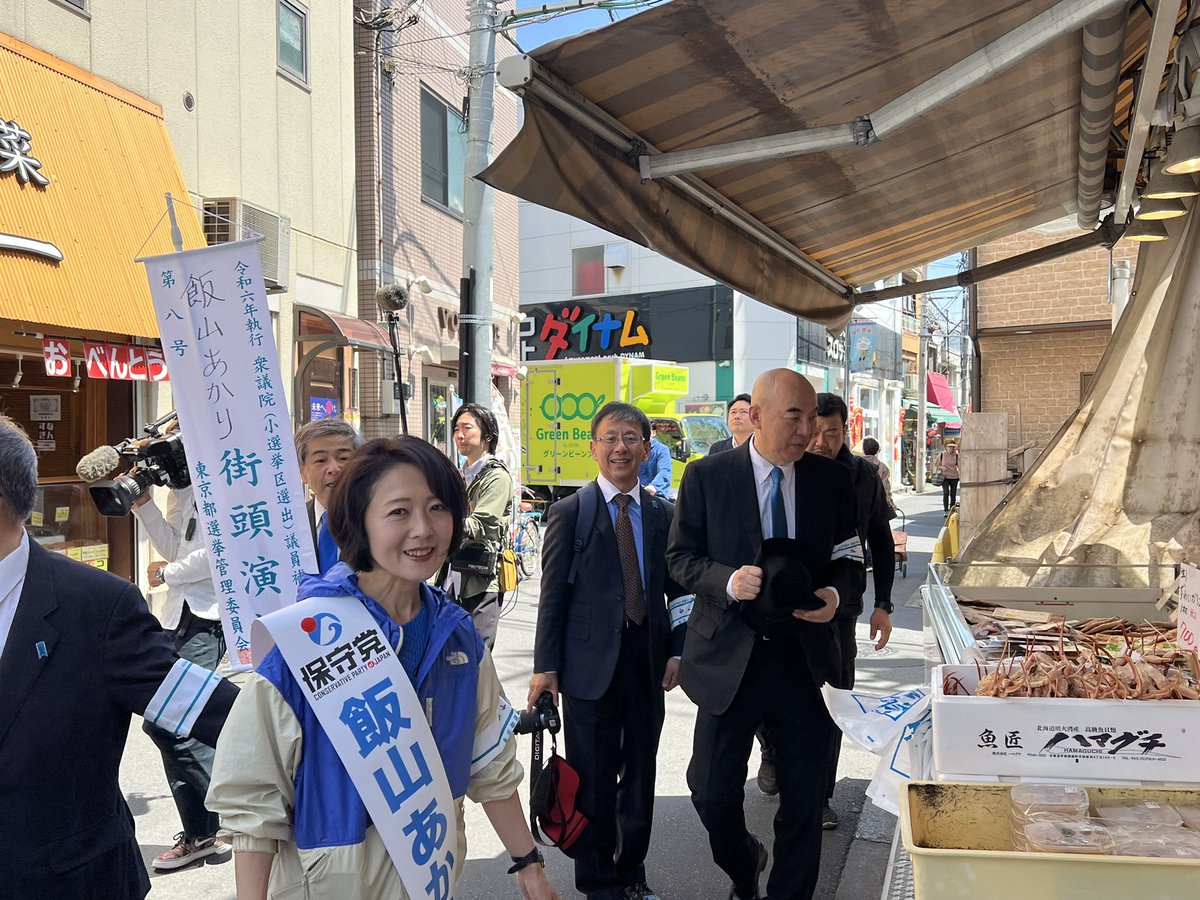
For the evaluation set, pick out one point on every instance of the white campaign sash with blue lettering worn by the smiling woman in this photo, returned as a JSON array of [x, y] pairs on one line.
[[370, 711]]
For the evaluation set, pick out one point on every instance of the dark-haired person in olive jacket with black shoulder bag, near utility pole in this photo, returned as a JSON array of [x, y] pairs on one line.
[[490, 499]]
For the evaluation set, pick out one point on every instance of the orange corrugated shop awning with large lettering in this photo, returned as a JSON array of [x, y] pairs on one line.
[[68, 247]]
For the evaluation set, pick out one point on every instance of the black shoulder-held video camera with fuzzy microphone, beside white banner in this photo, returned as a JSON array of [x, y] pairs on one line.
[[158, 459]]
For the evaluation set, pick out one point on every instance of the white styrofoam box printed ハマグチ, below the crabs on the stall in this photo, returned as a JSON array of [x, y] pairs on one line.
[[1069, 739]]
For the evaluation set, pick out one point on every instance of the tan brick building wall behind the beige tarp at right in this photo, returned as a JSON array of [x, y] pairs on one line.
[[1036, 377]]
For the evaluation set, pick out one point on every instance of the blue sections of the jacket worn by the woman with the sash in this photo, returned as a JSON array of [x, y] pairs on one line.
[[328, 808]]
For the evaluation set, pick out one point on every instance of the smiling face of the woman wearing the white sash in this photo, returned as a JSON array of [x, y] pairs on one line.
[[409, 527]]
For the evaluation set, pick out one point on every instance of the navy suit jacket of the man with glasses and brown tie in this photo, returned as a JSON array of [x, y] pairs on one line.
[[580, 629]]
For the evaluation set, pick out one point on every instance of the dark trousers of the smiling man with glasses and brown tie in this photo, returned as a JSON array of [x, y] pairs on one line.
[[613, 743]]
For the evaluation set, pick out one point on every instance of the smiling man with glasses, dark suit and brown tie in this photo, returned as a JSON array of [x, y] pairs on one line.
[[605, 641]]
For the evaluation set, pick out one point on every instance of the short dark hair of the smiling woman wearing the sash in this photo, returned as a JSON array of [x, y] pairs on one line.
[[356, 489]]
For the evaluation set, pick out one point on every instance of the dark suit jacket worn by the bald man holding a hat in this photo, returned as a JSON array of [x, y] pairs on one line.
[[718, 529]]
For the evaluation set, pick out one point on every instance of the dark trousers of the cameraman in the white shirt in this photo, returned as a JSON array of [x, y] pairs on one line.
[[188, 763]]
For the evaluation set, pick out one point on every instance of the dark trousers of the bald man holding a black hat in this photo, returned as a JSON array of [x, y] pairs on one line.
[[778, 692]]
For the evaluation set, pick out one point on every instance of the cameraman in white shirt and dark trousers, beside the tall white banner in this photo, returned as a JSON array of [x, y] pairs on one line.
[[193, 621]]
